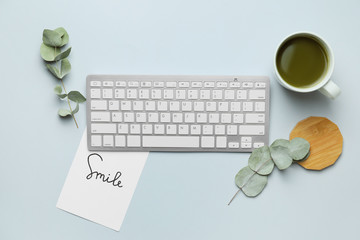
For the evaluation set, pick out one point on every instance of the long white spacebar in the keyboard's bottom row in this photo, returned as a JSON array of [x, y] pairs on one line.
[[171, 141]]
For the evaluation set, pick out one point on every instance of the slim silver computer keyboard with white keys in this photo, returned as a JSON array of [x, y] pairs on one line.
[[177, 113]]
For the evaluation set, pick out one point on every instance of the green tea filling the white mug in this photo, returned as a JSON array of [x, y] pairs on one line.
[[302, 62]]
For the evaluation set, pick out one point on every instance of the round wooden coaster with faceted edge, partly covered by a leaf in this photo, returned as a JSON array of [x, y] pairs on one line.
[[325, 141]]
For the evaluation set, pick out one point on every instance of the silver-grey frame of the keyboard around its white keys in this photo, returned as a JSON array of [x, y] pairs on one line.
[[184, 78]]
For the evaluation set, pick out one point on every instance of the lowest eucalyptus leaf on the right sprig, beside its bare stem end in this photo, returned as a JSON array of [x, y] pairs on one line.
[[250, 182]]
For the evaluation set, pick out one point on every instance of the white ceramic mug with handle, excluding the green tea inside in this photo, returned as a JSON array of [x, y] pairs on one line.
[[324, 85]]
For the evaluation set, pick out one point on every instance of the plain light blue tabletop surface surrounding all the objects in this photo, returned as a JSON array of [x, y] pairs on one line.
[[179, 195]]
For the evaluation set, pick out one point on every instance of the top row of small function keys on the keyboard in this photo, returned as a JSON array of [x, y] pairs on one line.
[[182, 84]]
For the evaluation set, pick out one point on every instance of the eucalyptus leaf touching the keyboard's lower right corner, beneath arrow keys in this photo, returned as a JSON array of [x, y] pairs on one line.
[[260, 161]]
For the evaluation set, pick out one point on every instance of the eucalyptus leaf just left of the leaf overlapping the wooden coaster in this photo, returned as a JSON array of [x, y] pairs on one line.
[[280, 153]]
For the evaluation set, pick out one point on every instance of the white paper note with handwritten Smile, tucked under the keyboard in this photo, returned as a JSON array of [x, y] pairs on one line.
[[100, 185]]
